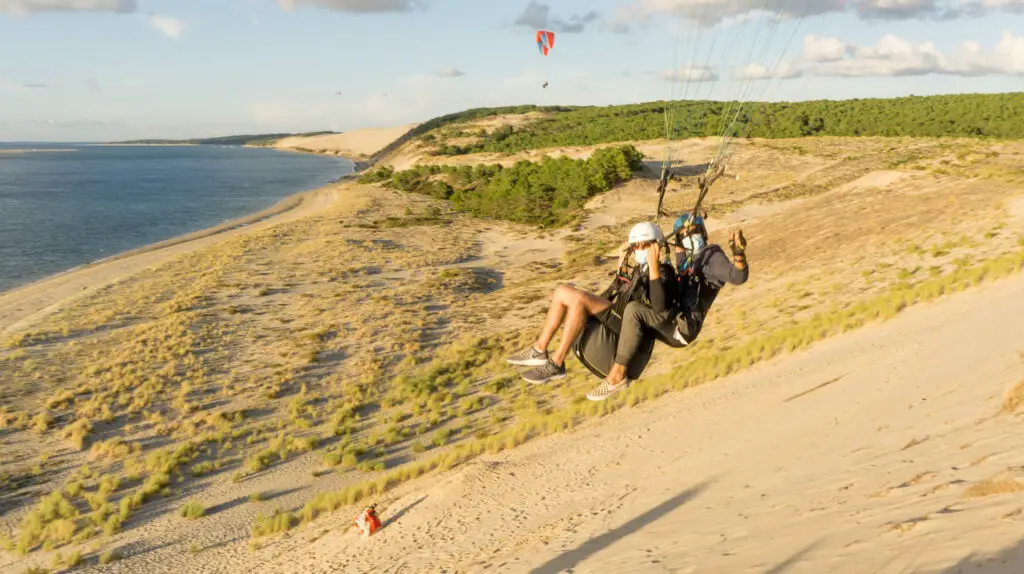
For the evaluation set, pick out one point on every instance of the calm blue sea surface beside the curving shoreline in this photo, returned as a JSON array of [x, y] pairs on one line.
[[81, 203]]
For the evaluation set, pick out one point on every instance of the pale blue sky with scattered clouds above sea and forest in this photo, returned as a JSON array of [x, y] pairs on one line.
[[107, 70]]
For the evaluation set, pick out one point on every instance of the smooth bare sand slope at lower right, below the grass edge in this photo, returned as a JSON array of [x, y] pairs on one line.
[[854, 457]]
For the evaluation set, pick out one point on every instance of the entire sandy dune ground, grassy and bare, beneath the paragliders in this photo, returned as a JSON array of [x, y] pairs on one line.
[[890, 448]]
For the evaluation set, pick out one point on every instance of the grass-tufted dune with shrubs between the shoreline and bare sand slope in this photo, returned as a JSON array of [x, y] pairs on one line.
[[345, 354]]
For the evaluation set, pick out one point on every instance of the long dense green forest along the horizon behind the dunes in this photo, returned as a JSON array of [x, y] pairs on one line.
[[992, 116]]
